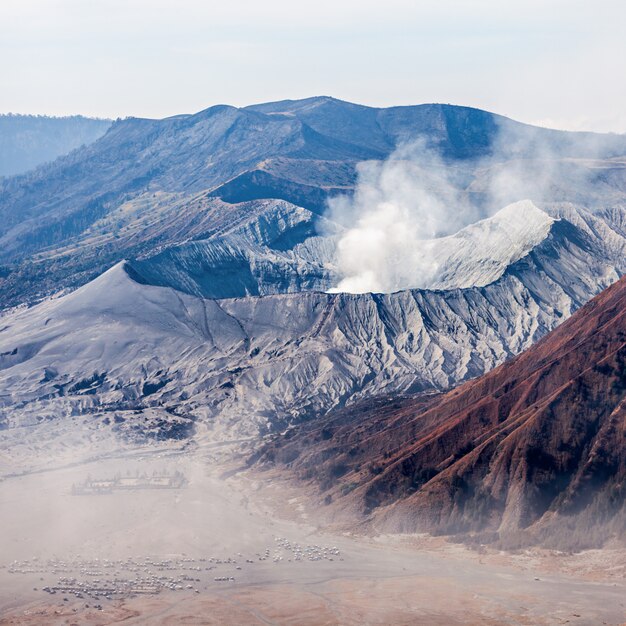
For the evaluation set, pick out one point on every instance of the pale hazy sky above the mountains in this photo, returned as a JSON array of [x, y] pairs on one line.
[[553, 62]]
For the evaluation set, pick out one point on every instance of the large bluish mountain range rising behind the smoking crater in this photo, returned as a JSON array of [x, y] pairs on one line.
[[150, 184]]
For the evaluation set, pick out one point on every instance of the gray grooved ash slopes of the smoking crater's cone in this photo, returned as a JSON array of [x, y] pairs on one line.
[[145, 361]]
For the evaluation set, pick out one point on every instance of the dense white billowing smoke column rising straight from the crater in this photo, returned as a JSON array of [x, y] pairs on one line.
[[397, 204]]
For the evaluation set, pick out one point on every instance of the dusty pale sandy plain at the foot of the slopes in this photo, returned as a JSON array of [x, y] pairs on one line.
[[368, 580]]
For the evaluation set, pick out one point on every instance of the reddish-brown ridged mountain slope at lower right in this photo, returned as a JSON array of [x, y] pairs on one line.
[[534, 451]]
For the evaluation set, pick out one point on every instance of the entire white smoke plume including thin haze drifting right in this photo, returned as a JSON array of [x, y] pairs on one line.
[[414, 196]]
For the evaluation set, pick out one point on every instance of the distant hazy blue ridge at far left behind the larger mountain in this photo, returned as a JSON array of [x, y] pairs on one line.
[[28, 141]]
